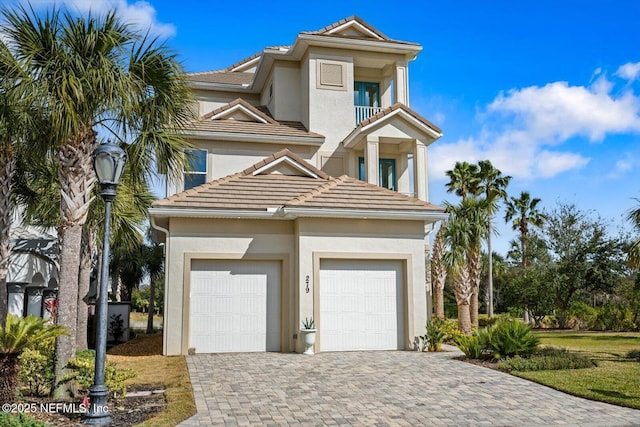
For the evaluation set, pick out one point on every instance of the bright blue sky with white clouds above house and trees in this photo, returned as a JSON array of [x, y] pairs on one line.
[[549, 91]]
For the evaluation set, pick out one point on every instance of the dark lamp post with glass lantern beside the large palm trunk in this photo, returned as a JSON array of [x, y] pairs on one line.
[[108, 163]]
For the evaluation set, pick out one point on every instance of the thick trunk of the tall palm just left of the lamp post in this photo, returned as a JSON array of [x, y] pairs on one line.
[[77, 179]]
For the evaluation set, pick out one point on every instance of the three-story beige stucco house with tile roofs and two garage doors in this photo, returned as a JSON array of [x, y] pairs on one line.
[[306, 196]]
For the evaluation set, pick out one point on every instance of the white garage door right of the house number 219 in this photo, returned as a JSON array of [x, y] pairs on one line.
[[361, 305]]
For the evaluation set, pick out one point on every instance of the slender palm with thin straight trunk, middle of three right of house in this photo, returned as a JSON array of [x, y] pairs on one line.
[[493, 184]]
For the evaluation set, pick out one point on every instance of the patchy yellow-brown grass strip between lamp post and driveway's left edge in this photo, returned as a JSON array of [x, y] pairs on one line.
[[144, 355]]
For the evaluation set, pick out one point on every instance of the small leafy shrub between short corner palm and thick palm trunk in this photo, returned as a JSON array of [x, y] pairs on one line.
[[36, 368]]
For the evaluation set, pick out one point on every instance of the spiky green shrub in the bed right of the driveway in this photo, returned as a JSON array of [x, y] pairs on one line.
[[509, 338]]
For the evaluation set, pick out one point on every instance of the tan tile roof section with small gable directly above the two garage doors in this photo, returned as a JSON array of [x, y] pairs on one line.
[[245, 191]]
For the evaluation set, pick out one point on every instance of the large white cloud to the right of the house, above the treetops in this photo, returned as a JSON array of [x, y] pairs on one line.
[[532, 132]]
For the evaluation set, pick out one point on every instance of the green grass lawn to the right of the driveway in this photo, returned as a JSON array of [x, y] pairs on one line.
[[615, 379]]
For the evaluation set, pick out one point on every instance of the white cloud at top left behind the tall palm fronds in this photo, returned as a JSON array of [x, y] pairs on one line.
[[140, 14]]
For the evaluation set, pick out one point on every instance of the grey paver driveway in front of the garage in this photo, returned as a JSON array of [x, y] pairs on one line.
[[379, 388]]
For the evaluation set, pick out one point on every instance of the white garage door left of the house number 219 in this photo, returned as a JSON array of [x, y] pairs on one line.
[[234, 306]]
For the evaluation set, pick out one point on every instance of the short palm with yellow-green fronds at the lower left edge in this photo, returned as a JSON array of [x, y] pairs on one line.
[[16, 336]]
